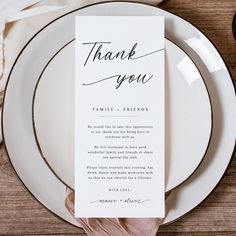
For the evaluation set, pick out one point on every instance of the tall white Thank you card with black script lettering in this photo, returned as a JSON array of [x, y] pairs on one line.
[[119, 116]]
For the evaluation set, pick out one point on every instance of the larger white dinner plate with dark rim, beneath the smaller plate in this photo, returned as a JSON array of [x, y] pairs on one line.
[[19, 136]]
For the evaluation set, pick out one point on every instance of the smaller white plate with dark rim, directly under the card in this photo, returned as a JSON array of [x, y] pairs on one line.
[[186, 98]]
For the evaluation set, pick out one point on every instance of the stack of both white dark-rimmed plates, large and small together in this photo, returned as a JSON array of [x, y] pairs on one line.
[[200, 111]]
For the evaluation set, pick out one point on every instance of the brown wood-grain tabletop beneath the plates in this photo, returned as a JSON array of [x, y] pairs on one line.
[[22, 214]]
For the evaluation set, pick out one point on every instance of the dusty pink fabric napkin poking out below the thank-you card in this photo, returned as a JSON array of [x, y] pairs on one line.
[[115, 226]]
